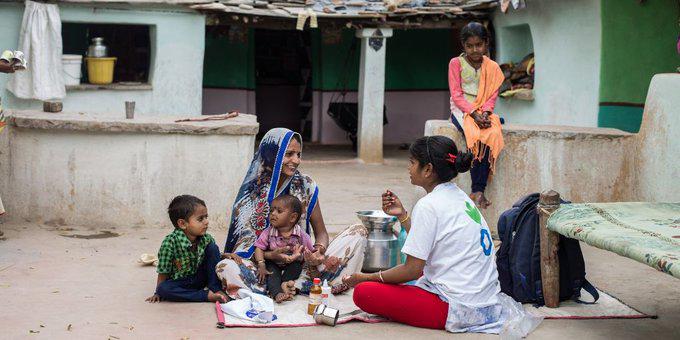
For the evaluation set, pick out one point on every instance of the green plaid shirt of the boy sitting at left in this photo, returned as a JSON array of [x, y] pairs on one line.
[[177, 259]]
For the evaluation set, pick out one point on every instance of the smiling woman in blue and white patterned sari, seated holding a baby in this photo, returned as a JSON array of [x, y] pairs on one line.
[[274, 171]]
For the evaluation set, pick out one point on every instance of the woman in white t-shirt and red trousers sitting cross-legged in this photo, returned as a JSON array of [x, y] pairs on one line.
[[449, 252]]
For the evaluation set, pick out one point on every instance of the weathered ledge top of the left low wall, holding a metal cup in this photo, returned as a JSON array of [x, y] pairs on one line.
[[244, 124]]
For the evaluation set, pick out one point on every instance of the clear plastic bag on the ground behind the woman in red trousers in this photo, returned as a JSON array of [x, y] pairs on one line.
[[519, 323]]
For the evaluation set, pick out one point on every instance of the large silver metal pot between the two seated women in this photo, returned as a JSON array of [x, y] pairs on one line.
[[382, 249]]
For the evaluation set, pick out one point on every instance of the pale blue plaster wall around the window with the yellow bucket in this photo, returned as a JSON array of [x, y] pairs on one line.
[[178, 39]]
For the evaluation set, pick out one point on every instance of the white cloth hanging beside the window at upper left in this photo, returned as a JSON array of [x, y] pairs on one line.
[[40, 40]]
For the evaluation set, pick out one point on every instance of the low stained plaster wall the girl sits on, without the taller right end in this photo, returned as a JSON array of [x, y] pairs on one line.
[[567, 159]]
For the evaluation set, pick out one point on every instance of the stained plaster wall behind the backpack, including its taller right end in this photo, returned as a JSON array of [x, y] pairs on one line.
[[588, 164]]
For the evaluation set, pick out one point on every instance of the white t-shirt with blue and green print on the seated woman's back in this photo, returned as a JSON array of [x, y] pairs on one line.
[[449, 233]]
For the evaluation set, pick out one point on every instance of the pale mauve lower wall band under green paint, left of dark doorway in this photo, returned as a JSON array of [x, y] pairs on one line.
[[218, 101]]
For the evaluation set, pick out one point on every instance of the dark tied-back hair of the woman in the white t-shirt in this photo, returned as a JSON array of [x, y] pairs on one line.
[[438, 150]]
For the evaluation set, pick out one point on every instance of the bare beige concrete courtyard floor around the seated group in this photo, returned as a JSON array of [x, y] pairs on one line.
[[54, 283]]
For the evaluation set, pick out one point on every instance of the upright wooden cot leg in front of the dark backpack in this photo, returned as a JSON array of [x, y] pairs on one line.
[[550, 264]]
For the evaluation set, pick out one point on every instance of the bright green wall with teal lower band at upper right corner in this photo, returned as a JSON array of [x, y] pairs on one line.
[[638, 41]]
